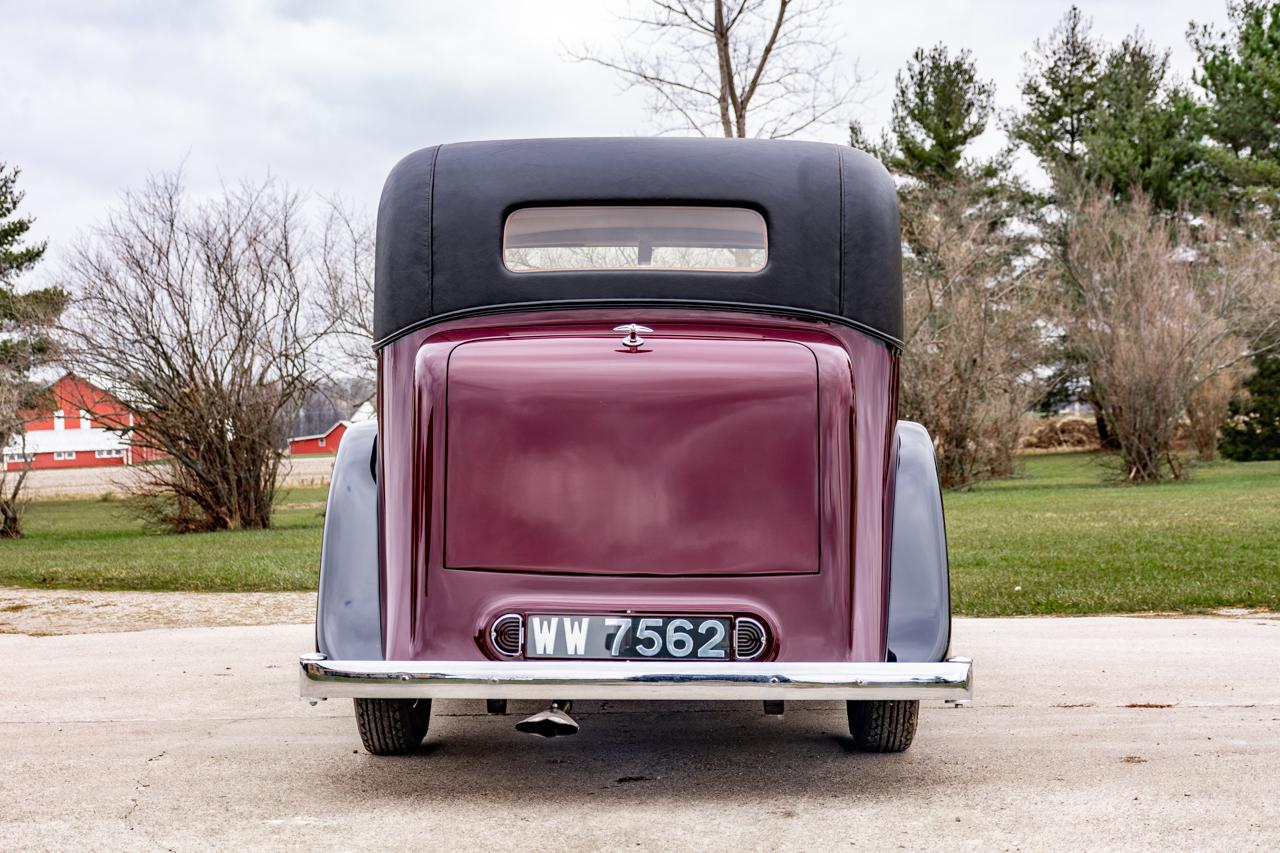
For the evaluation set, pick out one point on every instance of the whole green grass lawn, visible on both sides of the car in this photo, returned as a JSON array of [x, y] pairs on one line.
[[1058, 540]]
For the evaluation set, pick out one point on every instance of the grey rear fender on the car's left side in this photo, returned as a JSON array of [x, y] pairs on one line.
[[349, 610]]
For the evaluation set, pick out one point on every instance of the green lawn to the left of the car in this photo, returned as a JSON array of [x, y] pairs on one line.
[[95, 545]]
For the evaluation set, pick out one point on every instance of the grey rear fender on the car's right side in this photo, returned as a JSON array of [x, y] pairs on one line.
[[920, 597]]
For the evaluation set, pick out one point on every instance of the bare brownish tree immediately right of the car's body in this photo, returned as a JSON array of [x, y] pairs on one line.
[[973, 339]]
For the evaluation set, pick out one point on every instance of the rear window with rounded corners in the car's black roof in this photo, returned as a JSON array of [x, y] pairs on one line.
[[641, 238]]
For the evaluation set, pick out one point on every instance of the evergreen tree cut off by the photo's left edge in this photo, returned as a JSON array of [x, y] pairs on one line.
[[26, 318]]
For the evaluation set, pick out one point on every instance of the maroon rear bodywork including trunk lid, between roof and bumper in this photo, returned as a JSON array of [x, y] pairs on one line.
[[738, 513]]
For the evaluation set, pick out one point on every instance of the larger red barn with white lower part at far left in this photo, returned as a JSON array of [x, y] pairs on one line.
[[71, 432]]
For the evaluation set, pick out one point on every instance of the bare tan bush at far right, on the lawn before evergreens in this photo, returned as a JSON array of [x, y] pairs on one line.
[[1156, 311]]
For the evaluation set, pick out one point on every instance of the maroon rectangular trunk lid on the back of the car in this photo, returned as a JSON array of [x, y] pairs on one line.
[[692, 457]]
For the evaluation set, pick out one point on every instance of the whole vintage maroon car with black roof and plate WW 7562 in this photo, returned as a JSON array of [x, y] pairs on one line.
[[637, 440]]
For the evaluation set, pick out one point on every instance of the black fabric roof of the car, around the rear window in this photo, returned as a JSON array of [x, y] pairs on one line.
[[831, 213]]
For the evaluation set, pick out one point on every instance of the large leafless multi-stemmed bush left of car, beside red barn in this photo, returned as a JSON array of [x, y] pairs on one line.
[[195, 316]]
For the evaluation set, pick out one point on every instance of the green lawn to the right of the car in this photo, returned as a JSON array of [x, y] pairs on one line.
[[1062, 541]]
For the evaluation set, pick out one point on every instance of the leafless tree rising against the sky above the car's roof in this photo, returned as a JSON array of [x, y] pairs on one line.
[[738, 69]]
